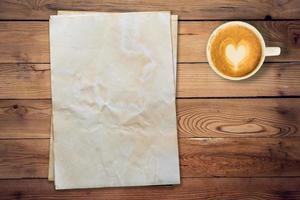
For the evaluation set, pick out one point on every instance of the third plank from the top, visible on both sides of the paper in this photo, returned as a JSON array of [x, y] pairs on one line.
[[32, 81]]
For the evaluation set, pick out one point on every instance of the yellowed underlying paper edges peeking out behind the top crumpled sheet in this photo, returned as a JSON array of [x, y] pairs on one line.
[[174, 30]]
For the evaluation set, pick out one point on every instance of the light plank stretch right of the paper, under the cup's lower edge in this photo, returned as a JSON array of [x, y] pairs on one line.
[[273, 79]]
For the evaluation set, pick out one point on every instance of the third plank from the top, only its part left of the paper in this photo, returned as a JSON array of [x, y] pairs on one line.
[[25, 81]]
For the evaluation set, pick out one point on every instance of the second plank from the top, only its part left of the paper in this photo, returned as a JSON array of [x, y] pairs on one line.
[[26, 42]]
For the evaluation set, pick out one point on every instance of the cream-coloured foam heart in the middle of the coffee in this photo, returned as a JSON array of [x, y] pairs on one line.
[[235, 54]]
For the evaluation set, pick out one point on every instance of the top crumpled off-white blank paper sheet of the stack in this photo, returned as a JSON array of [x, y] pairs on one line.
[[113, 132]]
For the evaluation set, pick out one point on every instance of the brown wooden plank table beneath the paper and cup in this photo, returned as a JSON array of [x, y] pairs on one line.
[[238, 140]]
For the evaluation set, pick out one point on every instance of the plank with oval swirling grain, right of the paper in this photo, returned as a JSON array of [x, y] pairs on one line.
[[238, 117]]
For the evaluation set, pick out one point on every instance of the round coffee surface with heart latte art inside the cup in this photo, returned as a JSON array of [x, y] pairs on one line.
[[235, 51]]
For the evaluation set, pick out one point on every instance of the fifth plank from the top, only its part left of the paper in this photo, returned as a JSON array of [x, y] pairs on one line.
[[24, 158]]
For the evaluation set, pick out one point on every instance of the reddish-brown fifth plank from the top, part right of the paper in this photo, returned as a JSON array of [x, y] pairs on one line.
[[230, 157]]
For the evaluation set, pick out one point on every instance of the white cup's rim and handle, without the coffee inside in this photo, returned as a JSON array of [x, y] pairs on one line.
[[266, 51]]
